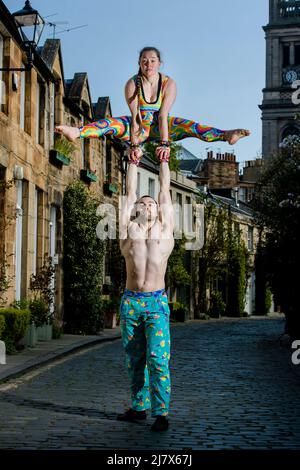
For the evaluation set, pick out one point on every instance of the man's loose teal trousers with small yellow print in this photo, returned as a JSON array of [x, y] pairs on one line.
[[144, 321]]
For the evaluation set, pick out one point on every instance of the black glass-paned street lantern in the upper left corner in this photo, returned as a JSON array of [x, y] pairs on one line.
[[30, 25]]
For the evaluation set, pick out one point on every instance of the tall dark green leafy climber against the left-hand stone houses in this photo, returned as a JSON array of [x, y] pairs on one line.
[[83, 262]]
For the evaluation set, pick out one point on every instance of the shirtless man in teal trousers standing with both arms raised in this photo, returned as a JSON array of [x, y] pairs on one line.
[[144, 305]]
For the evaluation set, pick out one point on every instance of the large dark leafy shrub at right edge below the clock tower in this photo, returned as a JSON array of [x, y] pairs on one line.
[[277, 204]]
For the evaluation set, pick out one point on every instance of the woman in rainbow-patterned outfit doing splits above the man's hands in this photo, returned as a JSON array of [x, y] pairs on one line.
[[150, 96]]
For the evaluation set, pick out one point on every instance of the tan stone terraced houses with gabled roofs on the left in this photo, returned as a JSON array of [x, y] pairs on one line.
[[32, 181]]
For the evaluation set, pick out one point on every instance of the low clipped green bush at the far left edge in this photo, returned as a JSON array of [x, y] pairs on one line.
[[16, 323]]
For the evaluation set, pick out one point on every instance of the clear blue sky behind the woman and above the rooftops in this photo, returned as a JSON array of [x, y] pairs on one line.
[[215, 51]]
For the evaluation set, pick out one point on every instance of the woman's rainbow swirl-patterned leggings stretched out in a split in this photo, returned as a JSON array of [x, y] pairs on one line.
[[179, 128]]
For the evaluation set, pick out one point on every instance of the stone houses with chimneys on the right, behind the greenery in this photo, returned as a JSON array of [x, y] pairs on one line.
[[219, 178]]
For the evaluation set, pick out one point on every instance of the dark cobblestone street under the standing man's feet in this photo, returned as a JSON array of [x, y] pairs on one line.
[[233, 387]]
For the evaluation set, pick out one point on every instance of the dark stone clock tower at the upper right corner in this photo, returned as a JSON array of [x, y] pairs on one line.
[[282, 69]]
